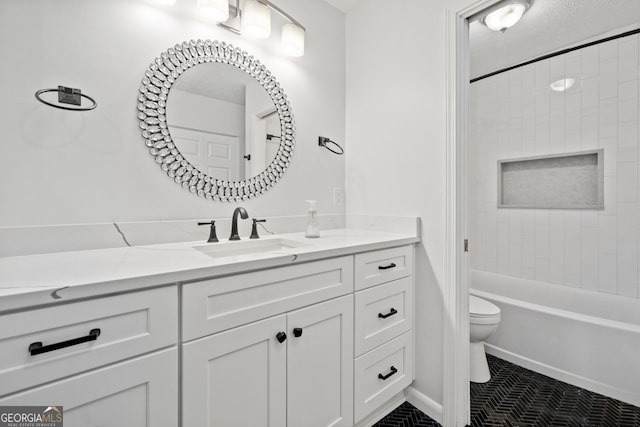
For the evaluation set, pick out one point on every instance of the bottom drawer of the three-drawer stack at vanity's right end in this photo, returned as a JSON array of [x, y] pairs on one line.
[[381, 374]]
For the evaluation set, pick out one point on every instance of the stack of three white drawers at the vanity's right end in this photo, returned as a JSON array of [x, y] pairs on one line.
[[383, 366]]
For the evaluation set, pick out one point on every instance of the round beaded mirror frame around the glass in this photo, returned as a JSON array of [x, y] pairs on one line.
[[152, 102]]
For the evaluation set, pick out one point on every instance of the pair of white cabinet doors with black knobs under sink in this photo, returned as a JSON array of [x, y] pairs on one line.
[[246, 377]]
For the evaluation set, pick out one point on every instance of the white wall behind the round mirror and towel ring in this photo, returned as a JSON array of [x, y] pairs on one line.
[[67, 167]]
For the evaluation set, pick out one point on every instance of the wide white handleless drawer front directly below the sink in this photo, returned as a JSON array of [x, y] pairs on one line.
[[215, 305]]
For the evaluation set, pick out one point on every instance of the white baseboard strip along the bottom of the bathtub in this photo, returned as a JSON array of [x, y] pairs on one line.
[[564, 376]]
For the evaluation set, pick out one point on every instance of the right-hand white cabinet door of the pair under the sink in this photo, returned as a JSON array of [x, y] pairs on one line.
[[320, 365]]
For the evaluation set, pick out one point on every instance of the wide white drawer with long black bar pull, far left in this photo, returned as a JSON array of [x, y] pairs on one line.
[[129, 325]]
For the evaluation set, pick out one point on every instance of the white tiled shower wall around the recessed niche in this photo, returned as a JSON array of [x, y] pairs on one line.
[[516, 114]]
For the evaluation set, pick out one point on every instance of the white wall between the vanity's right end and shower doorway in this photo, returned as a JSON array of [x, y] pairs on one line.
[[396, 144]]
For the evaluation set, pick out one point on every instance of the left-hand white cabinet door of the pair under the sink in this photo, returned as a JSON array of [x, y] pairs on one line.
[[236, 378]]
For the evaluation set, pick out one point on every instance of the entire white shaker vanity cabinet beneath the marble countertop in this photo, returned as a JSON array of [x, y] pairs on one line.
[[323, 342]]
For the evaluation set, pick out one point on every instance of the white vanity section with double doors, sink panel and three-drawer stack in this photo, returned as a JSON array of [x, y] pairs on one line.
[[323, 343]]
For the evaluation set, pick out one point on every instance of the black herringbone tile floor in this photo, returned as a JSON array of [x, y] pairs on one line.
[[516, 396]]
